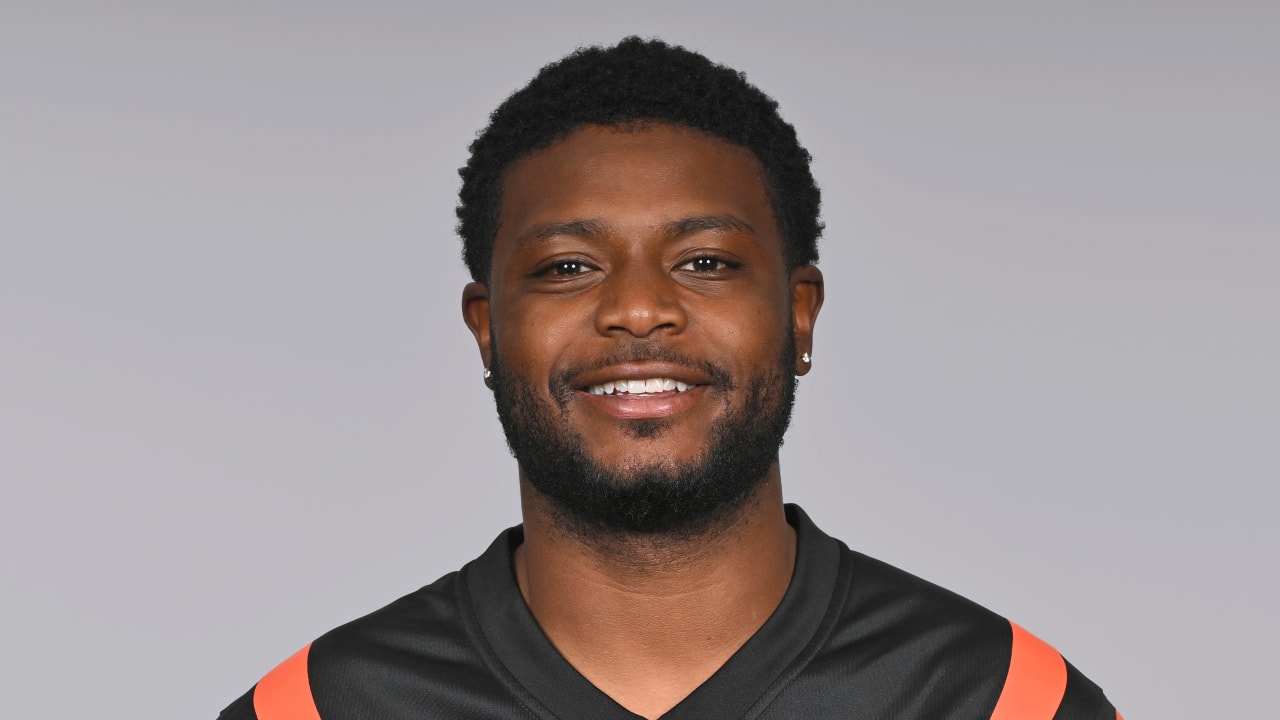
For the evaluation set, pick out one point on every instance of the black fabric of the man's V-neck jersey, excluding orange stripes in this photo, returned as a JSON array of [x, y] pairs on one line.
[[853, 639]]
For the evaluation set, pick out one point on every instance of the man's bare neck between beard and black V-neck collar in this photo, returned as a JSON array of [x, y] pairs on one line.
[[648, 619]]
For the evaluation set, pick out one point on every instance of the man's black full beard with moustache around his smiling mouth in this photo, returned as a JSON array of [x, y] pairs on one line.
[[670, 499]]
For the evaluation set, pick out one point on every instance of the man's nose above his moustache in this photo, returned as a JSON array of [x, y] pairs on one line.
[[641, 299]]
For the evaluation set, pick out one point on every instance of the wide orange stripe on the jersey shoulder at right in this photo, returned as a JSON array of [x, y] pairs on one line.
[[1036, 682]]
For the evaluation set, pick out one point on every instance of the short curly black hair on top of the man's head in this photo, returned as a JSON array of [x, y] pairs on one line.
[[637, 81]]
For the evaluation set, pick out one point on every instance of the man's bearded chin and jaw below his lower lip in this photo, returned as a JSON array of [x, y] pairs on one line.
[[660, 477]]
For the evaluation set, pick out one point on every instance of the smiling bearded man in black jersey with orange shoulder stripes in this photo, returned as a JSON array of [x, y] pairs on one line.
[[642, 230]]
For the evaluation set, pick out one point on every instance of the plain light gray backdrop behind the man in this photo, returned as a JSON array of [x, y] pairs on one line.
[[239, 405]]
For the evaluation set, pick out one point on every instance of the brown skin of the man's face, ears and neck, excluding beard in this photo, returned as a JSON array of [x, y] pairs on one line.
[[609, 239]]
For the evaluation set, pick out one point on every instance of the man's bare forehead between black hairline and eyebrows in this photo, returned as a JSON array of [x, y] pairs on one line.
[[634, 177]]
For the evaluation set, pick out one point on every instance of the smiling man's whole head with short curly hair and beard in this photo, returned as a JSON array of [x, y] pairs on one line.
[[643, 311]]
